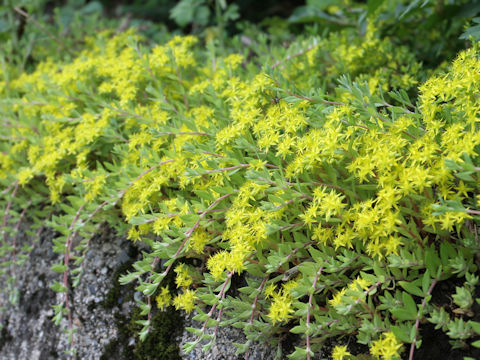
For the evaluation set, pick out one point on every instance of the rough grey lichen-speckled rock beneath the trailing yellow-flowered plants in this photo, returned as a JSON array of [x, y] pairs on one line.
[[97, 305]]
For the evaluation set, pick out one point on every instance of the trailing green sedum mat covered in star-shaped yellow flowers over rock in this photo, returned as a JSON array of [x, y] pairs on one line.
[[334, 180]]
